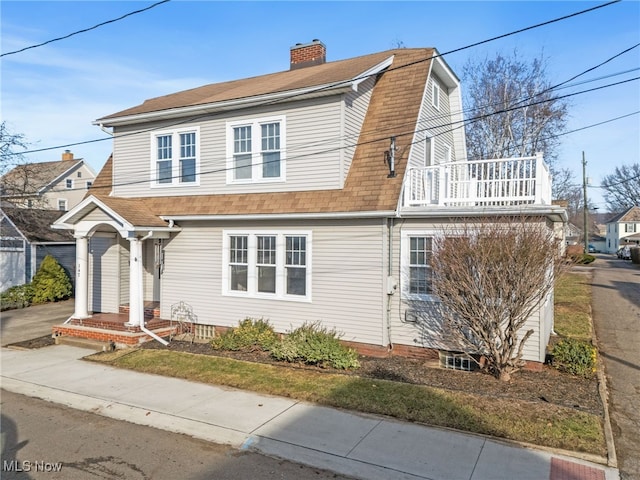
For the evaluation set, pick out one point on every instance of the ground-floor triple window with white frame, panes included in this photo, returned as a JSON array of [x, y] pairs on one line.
[[266, 264]]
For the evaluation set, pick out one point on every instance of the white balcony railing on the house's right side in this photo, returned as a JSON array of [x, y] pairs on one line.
[[498, 182]]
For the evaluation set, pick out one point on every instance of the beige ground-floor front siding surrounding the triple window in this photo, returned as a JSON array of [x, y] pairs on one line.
[[348, 278]]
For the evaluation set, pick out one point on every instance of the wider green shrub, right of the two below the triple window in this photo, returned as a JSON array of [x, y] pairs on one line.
[[313, 344]]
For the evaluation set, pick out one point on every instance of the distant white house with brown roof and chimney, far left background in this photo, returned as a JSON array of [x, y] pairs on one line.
[[59, 185]]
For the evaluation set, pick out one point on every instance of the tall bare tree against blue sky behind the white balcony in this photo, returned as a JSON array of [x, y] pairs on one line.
[[512, 108]]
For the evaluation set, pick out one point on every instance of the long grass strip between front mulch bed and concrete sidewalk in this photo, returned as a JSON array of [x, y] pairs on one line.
[[531, 422]]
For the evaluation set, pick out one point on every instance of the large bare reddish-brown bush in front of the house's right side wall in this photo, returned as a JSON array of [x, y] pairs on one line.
[[490, 278]]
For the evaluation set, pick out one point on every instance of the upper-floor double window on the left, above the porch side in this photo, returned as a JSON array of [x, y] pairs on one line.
[[175, 157]]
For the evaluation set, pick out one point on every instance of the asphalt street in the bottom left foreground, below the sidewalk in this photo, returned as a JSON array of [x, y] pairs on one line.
[[43, 440]]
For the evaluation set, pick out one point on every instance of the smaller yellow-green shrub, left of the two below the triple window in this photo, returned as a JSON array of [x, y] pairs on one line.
[[249, 335]]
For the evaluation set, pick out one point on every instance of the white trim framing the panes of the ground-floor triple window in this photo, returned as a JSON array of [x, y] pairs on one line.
[[252, 283]]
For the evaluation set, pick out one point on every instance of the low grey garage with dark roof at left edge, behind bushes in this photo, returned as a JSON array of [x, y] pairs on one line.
[[27, 237]]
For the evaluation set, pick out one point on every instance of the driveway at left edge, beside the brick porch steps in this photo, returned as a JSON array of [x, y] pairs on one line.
[[33, 322]]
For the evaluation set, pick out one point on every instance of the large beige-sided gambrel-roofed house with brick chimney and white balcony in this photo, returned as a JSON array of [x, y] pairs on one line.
[[311, 194]]
